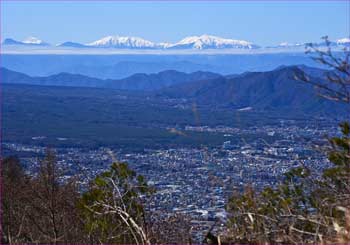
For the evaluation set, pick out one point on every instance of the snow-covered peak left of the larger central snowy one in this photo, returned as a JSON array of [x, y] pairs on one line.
[[122, 42]]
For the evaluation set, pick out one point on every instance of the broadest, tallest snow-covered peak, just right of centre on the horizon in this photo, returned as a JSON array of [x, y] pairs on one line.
[[212, 42]]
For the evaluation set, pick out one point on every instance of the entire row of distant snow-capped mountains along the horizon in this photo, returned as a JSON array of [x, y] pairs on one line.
[[203, 42]]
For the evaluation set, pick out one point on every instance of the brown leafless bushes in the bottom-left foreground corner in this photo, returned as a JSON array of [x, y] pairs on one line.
[[41, 208]]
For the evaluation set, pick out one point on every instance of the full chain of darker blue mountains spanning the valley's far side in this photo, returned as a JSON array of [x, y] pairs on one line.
[[276, 90]]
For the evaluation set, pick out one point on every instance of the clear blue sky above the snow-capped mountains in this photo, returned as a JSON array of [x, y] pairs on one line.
[[262, 22]]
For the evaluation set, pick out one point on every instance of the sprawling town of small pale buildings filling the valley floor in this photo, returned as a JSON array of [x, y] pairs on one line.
[[198, 181]]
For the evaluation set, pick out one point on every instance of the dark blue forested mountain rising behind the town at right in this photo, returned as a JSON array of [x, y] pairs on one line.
[[273, 90]]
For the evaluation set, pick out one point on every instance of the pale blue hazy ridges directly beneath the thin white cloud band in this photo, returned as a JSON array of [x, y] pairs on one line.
[[122, 66]]
